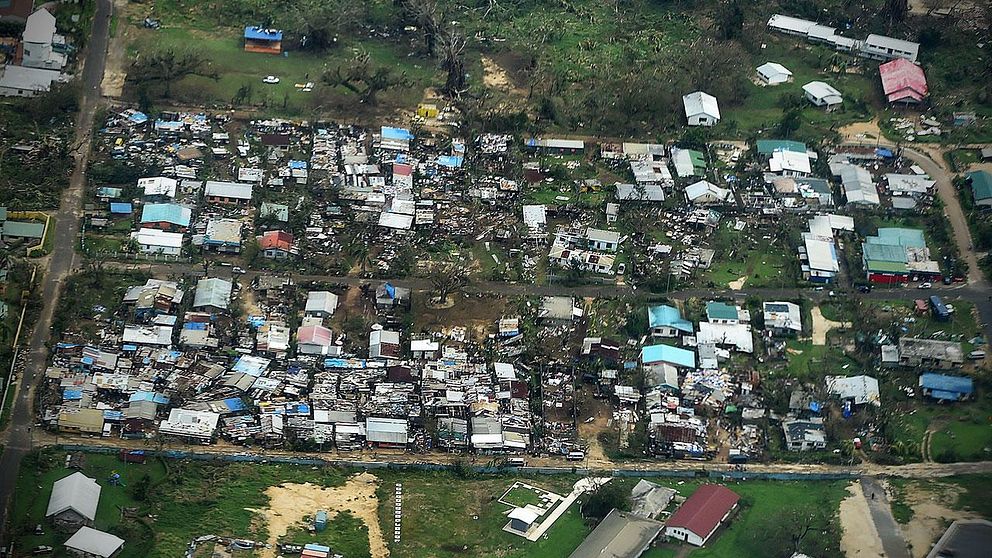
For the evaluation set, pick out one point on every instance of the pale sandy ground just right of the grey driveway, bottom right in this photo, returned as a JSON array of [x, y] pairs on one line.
[[931, 514]]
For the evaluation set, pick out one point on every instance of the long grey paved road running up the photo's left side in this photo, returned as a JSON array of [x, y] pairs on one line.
[[19, 436]]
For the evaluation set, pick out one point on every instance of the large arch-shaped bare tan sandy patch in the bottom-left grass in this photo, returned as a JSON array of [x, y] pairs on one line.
[[289, 503]]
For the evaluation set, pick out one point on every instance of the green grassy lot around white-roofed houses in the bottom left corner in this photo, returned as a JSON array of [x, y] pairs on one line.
[[219, 497]]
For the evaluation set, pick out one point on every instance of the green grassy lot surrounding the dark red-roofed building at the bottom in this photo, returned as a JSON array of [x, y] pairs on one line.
[[465, 510]]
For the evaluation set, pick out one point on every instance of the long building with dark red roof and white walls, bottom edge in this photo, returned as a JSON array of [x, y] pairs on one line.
[[699, 517]]
